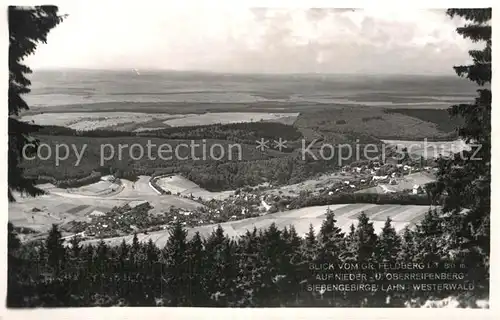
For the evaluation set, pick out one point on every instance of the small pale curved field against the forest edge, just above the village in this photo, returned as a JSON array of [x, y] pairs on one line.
[[178, 184]]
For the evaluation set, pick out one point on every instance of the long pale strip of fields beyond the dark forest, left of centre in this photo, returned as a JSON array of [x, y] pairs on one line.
[[130, 121]]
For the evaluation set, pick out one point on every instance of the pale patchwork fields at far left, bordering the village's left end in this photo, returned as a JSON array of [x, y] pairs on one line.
[[61, 206]]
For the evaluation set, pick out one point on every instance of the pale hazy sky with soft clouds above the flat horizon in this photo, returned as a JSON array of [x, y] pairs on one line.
[[253, 40]]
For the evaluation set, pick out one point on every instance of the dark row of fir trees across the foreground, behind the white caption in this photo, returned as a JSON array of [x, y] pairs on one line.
[[262, 268]]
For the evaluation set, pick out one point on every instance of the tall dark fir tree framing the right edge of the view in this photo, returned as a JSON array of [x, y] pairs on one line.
[[465, 180]]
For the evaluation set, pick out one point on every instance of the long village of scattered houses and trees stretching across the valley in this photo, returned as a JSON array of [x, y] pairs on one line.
[[249, 202]]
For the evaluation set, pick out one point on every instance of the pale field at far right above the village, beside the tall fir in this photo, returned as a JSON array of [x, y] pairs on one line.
[[430, 149]]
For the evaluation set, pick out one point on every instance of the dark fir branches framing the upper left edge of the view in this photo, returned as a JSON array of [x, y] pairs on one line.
[[28, 26]]
